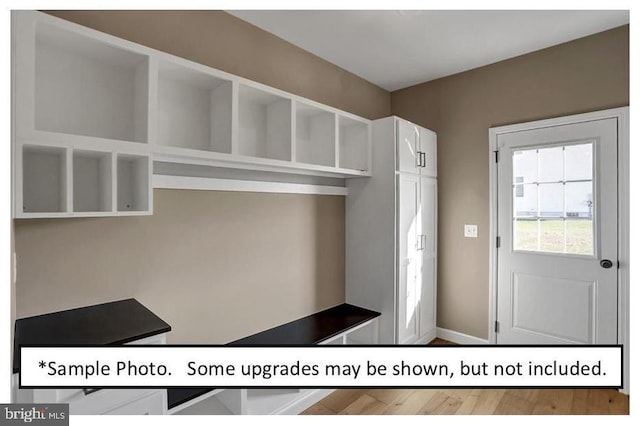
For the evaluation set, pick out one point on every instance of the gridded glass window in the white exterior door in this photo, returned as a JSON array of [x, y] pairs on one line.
[[553, 203]]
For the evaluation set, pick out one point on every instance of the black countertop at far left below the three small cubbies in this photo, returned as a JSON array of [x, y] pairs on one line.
[[112, 323]]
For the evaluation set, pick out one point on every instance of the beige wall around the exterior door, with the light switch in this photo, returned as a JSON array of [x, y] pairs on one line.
[[584, 75]]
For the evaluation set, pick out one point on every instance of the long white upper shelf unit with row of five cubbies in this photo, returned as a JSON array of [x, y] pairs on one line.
[[81, 89]]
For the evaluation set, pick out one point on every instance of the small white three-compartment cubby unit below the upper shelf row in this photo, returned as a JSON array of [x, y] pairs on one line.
[[62, 181]]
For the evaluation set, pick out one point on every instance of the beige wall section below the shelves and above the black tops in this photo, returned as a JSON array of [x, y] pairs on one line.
[[215, 265]]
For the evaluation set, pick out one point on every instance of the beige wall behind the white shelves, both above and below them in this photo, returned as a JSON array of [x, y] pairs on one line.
[[216, 265]]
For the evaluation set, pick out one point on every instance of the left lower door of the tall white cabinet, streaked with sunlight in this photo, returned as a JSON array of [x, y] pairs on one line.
[[408, 257]]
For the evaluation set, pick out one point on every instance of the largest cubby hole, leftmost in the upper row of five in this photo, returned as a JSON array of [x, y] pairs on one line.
[[88, 87]]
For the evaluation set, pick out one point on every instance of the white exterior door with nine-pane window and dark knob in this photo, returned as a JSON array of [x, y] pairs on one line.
[[557, 222]]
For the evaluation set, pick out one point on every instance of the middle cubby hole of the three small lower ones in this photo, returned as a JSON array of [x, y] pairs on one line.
[[92, 189]]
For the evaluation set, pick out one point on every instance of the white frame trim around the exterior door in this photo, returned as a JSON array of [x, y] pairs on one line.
[[622, 117]]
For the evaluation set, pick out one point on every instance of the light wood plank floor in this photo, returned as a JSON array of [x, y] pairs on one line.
[[472, 401]]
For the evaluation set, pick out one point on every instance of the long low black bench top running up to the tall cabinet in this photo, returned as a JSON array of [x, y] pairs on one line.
[[309, 330]]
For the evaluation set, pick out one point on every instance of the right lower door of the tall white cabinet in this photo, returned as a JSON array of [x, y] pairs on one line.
[[428, 215]]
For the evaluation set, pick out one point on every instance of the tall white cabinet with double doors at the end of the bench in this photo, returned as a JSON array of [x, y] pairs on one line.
[[391, 233]]
